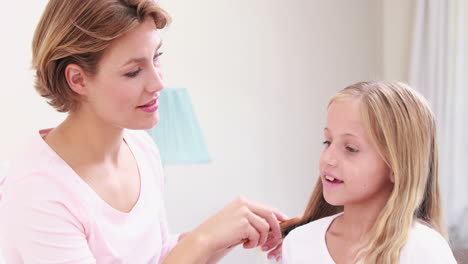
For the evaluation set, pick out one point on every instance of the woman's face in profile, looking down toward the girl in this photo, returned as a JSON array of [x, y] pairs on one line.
[[125, 89]]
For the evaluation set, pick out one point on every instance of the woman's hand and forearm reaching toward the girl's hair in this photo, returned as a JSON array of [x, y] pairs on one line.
[[242, 221]]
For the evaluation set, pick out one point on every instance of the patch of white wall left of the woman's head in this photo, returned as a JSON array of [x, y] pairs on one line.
[[21, 109]]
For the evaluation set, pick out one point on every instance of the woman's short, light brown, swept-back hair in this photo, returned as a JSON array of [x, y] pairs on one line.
[[78, 32]]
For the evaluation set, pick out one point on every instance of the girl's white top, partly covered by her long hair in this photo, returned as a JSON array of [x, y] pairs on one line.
[[306, 244]]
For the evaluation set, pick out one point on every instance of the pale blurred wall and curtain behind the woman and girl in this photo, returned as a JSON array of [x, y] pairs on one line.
[[260, 73]]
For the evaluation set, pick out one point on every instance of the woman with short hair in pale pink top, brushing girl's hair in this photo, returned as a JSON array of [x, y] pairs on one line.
[[89, 190]]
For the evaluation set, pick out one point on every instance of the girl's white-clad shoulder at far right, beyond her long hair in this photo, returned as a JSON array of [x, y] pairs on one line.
[[426, 245]]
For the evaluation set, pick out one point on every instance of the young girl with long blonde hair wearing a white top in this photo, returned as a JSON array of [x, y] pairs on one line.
[[377, 199]]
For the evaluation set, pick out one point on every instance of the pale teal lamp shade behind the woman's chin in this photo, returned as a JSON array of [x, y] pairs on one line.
[[178, 134]]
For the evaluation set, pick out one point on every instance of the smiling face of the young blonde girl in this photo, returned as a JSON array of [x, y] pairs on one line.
[[351, 169]]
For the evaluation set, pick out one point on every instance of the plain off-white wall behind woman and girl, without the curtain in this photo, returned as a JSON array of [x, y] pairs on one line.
[[260, 74]]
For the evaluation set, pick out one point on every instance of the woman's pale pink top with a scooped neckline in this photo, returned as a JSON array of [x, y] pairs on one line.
[[48, 214]]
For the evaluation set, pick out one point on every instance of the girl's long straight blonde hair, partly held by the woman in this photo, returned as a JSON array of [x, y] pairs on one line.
[[403, 129]]
